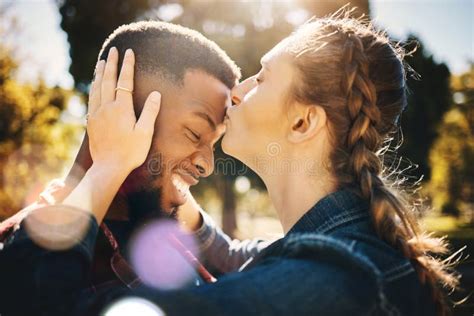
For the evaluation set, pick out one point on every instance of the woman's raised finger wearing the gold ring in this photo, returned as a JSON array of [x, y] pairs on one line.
[[125, 81]]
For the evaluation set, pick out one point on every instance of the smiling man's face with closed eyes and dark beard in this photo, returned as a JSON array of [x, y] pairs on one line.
[[187, 128]]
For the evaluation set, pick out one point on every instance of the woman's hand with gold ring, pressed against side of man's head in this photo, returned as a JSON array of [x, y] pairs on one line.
[[116, 138]]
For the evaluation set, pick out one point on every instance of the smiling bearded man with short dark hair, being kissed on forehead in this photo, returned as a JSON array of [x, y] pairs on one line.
[[194, 77]]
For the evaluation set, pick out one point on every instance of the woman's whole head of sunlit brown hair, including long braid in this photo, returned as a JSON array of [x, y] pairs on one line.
[[358, 76]]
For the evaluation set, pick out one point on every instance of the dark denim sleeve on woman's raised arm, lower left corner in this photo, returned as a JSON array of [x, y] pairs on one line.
[[38, 281]]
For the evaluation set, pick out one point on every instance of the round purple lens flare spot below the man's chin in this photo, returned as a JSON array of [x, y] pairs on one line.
[[156, 254]]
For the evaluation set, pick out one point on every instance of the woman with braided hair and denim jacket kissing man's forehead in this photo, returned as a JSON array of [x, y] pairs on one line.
[[313, 124]]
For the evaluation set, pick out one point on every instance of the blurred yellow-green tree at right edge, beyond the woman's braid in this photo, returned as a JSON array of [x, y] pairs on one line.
[[451, 157]]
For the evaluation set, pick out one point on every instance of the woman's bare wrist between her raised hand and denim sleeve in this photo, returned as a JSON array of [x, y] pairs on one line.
[[97, 189]]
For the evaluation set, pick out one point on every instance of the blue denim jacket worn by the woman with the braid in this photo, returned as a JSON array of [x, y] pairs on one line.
[[330, 263]]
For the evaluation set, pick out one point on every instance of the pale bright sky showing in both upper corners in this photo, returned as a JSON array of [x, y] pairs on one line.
[[446, 27]]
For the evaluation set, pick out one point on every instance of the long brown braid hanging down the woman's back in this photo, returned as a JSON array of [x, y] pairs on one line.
[[363, 141]]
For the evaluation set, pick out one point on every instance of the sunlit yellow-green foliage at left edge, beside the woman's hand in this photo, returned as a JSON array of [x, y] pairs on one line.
[[34, 144]]
